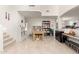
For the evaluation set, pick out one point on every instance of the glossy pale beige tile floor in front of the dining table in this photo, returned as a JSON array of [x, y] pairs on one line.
[[48, 45]]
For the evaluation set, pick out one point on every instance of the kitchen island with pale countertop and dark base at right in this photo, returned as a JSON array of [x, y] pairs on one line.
[[72, 41]]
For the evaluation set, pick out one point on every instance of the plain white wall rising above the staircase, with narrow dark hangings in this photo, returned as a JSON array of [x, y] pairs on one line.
[[13, 25]]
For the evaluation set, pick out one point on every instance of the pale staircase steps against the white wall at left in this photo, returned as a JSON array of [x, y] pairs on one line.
[[7, 40]]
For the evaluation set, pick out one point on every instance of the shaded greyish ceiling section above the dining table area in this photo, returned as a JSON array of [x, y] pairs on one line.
[[35, 14]]
